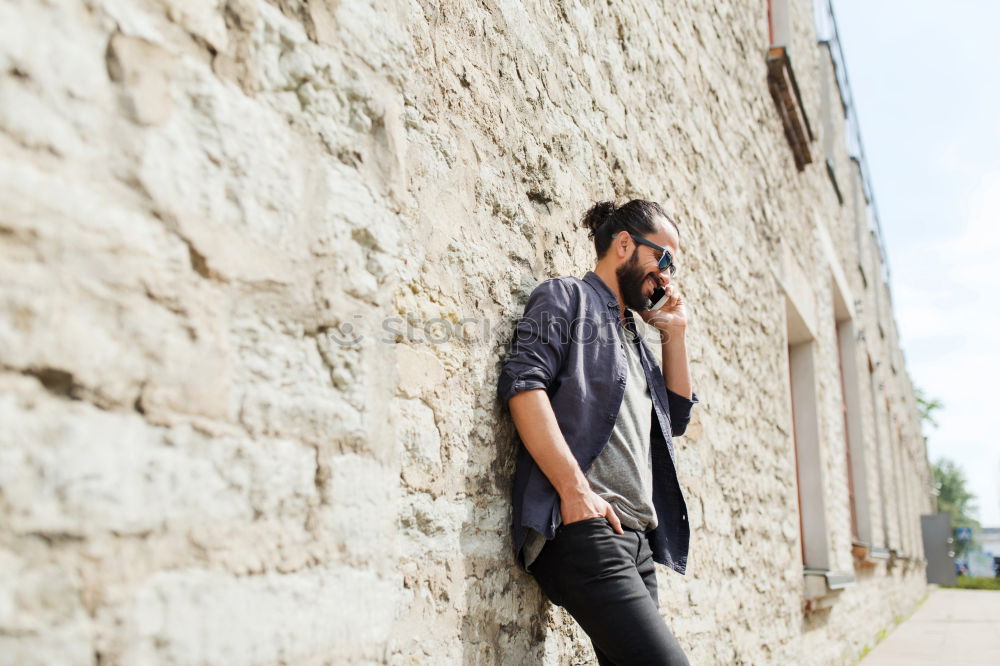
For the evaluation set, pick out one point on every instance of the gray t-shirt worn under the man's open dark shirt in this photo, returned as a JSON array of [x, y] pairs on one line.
[[622, 474]]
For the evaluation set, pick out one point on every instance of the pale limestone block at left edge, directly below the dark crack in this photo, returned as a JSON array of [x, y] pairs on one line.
[[71, 469]]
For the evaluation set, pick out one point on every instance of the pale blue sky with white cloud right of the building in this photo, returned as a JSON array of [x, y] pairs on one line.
[[925, 82]]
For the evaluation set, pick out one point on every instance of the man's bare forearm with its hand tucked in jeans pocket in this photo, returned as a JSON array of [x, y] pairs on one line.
[[536, 424]]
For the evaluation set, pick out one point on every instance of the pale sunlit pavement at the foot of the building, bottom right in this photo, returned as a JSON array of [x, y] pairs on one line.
[[951, 628]]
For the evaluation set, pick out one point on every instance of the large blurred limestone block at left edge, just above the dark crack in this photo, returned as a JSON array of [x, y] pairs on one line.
[[126, 270]]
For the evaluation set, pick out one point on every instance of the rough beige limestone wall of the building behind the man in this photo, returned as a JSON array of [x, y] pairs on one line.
[[259, 264]]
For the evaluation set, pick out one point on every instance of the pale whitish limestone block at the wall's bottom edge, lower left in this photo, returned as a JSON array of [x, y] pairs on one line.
[[196, 616]]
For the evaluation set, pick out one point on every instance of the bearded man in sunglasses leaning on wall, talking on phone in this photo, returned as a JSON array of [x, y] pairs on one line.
[[596, 497]]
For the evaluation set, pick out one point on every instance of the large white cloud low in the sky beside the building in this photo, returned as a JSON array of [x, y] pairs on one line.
[[946, 294]]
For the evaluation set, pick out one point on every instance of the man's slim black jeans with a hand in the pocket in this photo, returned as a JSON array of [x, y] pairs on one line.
[[607, 583]]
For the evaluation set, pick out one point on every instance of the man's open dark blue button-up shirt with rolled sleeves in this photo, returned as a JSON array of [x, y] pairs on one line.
[[567, 345]]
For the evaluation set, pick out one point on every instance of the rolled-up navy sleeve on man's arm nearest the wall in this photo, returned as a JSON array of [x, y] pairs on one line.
[[540, 341]]
